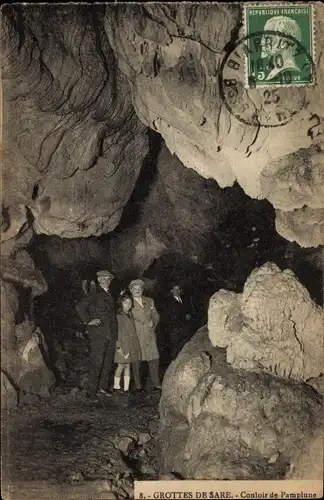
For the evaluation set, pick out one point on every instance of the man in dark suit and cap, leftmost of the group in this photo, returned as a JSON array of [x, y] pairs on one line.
[[97, 311]]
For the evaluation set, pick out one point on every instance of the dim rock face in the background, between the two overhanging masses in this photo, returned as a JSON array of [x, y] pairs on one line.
[[181, 212]]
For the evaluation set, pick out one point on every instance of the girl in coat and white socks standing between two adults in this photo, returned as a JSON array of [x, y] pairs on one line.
[[127, 346]]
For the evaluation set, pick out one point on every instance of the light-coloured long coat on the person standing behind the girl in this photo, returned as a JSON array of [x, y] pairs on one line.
[[145, 333]]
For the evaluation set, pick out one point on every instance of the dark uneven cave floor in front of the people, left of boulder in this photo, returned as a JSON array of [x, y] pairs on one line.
[[69, 447]]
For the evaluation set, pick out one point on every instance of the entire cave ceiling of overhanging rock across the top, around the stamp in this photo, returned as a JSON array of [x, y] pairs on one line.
[[82, 85]]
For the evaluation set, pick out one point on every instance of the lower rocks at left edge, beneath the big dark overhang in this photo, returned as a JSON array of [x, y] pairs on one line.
[[22, 358]]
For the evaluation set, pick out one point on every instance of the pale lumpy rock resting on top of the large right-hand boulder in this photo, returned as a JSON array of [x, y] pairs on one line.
[[273, 325]]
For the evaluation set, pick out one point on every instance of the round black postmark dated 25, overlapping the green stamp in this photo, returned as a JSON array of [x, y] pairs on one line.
[[259, 85]]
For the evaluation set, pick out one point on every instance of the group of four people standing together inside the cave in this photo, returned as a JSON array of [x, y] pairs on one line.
[[123, 333]]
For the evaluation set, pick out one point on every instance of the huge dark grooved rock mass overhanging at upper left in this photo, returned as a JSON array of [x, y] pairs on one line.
[[73, 144]]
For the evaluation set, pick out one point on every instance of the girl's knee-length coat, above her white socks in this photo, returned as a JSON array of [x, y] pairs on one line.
[[127, 340]]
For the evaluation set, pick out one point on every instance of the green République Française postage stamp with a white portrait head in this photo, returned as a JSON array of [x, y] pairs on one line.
[[279, 44]]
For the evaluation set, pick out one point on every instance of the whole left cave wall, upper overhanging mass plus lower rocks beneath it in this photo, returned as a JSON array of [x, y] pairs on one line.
[[73, 148]]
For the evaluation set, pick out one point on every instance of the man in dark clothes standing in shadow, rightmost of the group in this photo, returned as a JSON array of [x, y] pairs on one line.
[[177, 319]]
